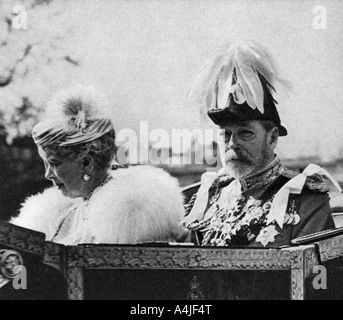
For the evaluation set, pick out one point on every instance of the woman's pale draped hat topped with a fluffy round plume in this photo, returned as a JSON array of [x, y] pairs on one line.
[[75, 115]]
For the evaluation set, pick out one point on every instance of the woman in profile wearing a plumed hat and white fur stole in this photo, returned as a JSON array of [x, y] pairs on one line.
[[89, 203]]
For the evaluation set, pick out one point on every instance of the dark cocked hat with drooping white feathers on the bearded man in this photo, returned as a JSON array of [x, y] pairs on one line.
[[238, 86]]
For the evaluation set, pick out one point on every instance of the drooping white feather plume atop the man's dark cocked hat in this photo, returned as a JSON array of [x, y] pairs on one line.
[[247, 61]]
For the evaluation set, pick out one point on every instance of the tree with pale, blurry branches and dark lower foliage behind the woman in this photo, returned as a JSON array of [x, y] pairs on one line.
[[35, 61]]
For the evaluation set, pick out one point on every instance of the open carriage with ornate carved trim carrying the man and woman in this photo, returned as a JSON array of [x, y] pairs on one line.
[[166, 271]]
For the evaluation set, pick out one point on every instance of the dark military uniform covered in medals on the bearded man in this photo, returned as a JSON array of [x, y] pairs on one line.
[[236, 212]]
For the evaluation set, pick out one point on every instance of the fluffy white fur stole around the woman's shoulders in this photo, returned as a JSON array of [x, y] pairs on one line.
[[140, 203]]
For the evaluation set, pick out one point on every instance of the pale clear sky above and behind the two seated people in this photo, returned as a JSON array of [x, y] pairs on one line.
[[145, 54]]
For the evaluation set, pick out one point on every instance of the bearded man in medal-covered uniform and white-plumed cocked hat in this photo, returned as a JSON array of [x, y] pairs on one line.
[[254, 201]]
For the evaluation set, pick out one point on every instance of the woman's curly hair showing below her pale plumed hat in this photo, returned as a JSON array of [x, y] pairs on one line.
[[102, 150]]
